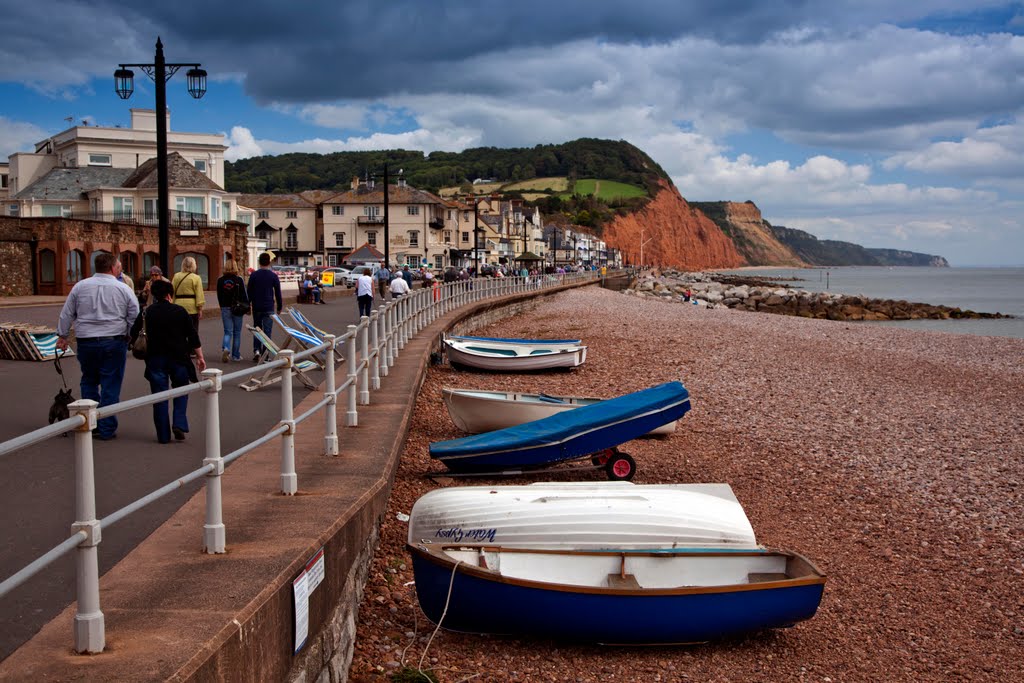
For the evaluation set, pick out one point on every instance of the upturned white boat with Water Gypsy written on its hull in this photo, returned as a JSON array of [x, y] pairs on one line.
[[584, 517]]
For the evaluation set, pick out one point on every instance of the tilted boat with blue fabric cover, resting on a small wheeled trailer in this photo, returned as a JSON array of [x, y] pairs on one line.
[[570, 435]]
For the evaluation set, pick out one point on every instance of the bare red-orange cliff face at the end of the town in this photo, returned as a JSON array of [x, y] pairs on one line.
[[679, 236]]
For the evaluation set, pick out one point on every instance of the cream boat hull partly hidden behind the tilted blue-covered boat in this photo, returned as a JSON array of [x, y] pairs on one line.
[[478, 411]]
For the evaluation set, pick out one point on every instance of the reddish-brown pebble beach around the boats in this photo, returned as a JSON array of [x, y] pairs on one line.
[[891, 458]]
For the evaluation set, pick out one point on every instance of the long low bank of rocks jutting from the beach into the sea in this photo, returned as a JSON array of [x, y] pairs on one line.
[[772, 297]]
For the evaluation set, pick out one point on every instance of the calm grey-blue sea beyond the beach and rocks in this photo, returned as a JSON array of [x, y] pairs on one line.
[[982, 289]]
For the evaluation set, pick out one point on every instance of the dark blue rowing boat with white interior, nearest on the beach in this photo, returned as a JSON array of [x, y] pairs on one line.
[[625, 597]]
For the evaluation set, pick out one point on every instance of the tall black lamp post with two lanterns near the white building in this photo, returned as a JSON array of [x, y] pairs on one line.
[[160, 72]]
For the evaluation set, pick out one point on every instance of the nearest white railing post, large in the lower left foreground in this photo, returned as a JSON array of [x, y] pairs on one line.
[[90, 626]]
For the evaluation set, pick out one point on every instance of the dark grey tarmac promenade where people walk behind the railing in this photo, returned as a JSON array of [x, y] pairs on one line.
[[37, 484]]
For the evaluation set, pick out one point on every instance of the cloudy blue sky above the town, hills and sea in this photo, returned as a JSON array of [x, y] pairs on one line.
[[888, 124]]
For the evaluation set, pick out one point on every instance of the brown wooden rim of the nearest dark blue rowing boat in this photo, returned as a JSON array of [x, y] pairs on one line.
[[437, 556]]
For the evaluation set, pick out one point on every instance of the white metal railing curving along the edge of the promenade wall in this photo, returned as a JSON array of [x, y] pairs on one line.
[[371, 349]]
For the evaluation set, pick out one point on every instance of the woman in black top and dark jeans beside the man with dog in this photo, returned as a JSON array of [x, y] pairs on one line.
[[170, 339]]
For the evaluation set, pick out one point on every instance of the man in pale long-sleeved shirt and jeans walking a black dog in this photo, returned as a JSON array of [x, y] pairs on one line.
[[103, 311]]
